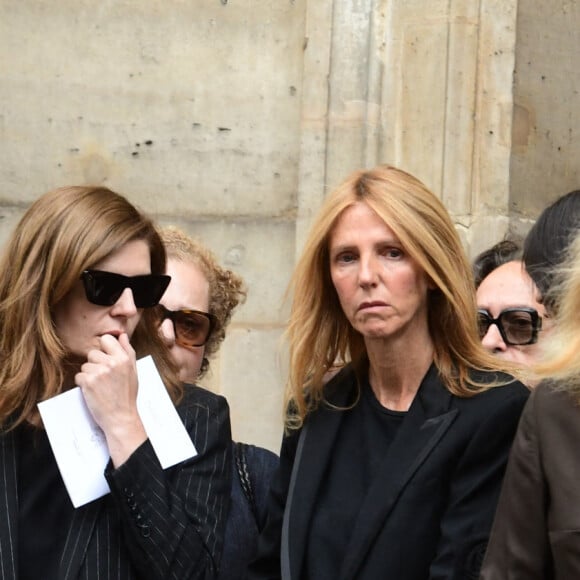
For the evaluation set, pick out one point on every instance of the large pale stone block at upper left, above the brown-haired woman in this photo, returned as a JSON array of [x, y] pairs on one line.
[[194, 107]]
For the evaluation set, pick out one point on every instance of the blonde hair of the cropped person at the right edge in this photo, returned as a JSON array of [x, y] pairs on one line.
[[560, 360]]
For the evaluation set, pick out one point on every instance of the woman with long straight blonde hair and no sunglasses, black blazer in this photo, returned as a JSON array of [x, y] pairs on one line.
[[392, 468]]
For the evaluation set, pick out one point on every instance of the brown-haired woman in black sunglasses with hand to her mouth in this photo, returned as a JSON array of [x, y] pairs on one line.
[[78, 281]]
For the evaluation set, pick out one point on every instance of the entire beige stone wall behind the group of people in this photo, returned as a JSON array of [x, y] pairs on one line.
[[233, 118]]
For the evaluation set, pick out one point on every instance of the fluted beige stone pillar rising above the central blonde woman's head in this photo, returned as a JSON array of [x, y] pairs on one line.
[[422, 84]]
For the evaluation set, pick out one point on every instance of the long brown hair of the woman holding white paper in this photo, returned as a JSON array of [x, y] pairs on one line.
[[64, 232]]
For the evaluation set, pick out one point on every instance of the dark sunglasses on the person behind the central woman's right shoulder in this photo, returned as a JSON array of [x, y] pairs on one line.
[[517, 326]]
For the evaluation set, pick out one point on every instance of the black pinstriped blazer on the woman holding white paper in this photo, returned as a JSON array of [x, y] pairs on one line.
[[154, 524]]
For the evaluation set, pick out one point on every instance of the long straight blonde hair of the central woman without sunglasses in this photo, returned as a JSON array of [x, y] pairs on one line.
[[319, 333]]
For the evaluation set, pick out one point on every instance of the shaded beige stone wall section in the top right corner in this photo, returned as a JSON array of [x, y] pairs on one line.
[[546, 144]]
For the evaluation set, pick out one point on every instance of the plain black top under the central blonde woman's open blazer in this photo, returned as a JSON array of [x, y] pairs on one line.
[[366, 433]]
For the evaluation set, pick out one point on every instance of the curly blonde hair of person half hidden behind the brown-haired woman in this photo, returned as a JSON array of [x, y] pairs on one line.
[[226, 289]]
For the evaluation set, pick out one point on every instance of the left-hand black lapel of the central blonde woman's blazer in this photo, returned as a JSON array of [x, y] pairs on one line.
[[309, 468]]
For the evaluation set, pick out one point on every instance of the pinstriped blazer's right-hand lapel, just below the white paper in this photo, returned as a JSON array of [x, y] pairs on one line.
[[78, 538]]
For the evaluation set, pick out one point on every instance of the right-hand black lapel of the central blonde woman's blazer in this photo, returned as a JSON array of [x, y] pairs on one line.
[[426, 422]]
